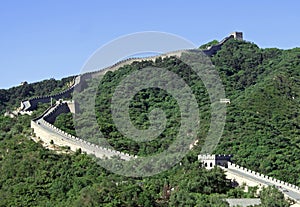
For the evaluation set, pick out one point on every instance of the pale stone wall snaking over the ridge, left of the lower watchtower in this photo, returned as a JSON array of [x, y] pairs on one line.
[[43, 128]]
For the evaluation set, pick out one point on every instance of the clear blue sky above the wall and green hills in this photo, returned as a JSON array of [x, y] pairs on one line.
[[53, 39]]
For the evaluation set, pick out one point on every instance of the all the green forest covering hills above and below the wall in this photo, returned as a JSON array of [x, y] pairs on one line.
[[261, 131]]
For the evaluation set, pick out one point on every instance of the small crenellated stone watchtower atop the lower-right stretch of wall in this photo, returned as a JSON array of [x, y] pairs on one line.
[[210, 161]]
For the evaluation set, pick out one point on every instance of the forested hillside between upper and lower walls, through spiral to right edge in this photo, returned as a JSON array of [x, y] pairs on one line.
[[262, 120]]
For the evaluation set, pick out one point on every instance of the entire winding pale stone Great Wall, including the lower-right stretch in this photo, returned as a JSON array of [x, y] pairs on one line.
[[44, 129]]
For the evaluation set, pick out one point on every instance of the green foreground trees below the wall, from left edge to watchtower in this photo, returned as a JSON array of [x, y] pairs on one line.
[[33, 176]]
